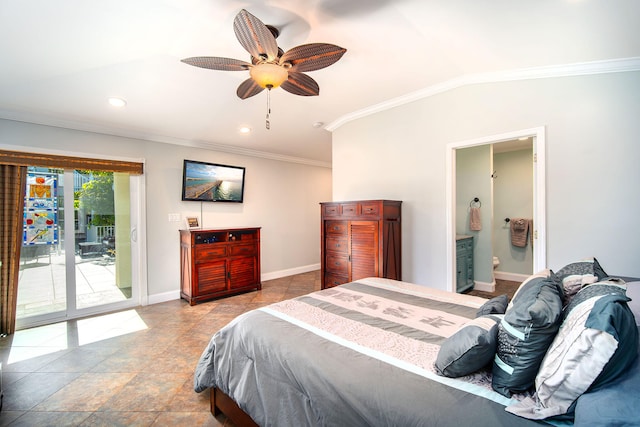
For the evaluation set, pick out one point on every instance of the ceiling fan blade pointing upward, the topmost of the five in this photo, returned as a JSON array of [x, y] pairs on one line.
[[254, 36]]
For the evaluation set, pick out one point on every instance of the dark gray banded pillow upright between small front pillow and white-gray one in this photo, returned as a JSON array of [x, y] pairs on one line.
[[524, 334]]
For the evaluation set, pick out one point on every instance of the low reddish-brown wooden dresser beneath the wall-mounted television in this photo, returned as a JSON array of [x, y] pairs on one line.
[[218, 262]]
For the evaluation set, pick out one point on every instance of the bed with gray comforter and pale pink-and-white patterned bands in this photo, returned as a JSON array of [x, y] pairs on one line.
[[361, 354]]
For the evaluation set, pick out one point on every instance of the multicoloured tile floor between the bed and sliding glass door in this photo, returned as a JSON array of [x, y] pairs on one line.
[[130, 368]]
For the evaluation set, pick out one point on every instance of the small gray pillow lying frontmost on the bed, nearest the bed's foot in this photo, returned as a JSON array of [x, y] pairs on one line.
[[470, 349]]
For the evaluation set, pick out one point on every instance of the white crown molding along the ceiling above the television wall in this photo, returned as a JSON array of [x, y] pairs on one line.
[[46, 120]]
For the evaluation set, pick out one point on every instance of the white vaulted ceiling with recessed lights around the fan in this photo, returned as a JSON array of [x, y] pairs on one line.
[[61, 60]]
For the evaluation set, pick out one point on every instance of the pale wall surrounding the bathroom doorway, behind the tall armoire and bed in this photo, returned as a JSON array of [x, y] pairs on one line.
[[592, 152]]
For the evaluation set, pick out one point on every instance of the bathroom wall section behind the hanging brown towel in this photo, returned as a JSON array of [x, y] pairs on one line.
[[513, 198]]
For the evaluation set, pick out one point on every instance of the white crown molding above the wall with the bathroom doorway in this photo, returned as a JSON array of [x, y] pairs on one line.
[[576, 69]]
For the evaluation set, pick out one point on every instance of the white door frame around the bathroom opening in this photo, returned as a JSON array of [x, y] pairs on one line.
[[539, 195]]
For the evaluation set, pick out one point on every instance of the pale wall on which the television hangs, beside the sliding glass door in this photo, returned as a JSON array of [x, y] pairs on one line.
[[281, 197]]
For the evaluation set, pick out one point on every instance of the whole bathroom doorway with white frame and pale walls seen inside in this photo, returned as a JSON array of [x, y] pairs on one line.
[[474, 168]]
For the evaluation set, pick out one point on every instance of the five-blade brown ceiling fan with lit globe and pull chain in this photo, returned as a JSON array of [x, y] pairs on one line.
[[270, 66]]
